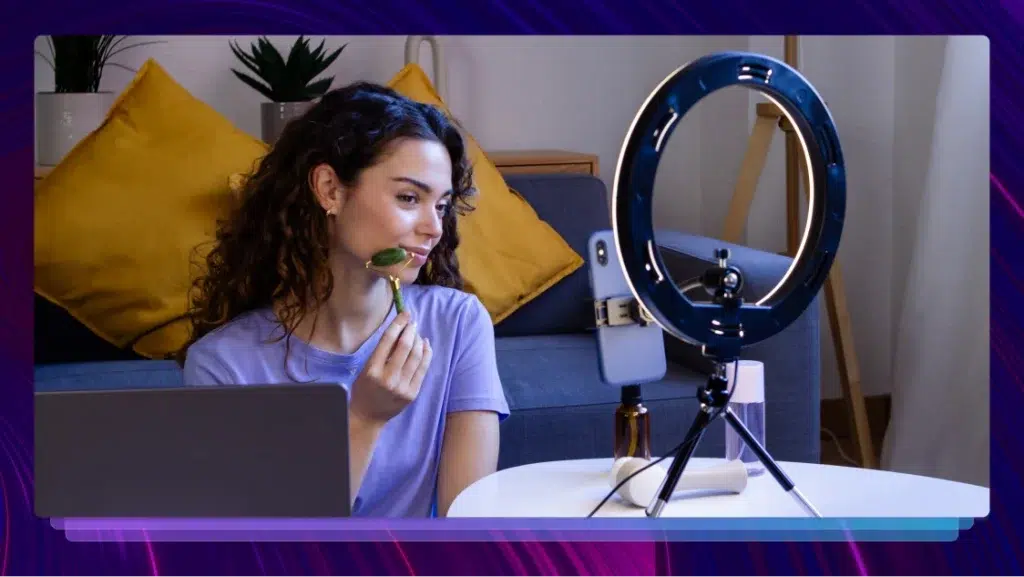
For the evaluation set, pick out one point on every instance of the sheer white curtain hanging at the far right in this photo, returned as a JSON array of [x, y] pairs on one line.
[[940, 425]]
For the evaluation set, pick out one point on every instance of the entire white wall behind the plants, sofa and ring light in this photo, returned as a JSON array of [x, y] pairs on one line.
[[582, 93]]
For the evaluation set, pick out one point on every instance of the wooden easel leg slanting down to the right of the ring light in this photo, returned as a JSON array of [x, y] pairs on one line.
[[846, 357]]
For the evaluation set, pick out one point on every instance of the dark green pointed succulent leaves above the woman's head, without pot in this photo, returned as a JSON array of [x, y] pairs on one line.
[[291, 80]]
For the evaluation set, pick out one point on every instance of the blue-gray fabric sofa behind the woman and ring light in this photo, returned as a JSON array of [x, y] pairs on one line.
[[547, 353]]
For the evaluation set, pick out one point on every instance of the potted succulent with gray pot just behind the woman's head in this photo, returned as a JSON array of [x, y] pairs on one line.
[[290, 85]]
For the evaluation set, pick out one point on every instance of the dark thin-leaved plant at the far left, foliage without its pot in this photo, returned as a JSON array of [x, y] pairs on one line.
[[79, 61]]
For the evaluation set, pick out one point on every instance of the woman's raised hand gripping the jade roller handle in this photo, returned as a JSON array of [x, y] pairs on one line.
[[392, 379]]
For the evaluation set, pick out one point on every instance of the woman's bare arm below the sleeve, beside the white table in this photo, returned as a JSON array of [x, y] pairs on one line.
[[470, 454]]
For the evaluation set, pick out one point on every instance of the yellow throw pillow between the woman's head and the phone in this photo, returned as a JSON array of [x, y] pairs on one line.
[[507, 255]]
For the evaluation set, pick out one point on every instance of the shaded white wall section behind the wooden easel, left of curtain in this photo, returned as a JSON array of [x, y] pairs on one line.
[[856, 76]]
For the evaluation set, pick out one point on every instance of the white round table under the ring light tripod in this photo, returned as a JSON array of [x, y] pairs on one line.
[[573, 489]]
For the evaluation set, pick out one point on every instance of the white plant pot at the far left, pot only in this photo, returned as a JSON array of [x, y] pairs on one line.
[[63, 119]]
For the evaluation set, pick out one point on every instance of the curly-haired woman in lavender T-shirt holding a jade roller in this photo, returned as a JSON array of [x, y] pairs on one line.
[[288, 297]]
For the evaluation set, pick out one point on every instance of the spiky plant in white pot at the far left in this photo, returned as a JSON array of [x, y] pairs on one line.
[[77, 106]]
